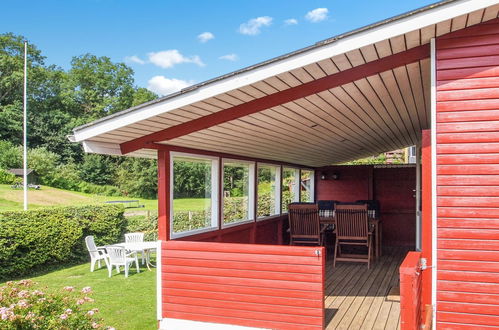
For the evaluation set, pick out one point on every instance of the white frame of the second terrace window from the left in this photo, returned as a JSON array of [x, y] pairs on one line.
[[251, 192]]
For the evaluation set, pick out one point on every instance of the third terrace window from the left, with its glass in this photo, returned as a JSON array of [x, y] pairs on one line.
[[269, 178]]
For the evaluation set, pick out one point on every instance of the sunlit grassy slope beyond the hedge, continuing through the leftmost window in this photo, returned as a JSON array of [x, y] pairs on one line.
[[12, 199]]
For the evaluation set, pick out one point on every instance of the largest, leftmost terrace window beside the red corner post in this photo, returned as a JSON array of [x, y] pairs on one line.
[[195, 193]]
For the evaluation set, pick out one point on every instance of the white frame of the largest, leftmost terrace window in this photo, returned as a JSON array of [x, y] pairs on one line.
[[215, 184]]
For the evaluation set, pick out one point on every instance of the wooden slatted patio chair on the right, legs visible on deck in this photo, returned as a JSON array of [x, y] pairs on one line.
[[352, 228]]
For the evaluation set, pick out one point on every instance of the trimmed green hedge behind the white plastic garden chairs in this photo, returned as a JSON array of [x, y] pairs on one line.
[[31, 240]]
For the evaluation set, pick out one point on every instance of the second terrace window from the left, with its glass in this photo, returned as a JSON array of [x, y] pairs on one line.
[[238, 191]]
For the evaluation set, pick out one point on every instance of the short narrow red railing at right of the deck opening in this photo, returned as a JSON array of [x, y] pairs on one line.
[[410, 292]]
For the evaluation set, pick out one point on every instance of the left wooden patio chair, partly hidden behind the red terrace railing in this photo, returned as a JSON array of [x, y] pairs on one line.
[[304, 224]]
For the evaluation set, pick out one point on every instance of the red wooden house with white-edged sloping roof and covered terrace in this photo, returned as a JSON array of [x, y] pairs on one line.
[[428, 78]]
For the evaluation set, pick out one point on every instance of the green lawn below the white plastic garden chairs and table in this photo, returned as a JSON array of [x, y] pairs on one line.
[[124, 303]]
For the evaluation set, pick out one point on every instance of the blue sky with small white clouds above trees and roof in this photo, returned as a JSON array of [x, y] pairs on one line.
[[161, 40]]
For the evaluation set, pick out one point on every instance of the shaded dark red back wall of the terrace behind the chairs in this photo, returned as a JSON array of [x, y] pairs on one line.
[[393, 187]]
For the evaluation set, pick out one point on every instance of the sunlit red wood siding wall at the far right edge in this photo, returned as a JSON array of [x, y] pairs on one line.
[[468, 177]]
